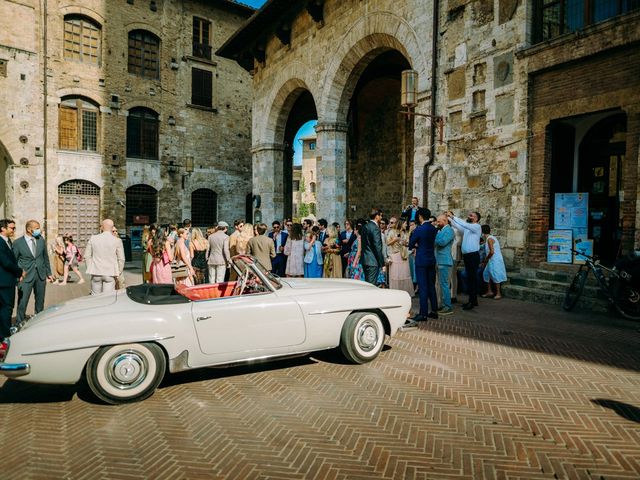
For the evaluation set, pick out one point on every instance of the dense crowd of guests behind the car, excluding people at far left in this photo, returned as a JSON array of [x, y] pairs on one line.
[[414, 251]]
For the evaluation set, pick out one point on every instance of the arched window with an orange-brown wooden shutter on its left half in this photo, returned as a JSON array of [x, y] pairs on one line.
[[78, 124]]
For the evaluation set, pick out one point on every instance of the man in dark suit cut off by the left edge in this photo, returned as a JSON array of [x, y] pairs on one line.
[[9, 275]]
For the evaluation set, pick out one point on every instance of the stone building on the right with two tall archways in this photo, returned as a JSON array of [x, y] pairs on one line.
[[507, 78]]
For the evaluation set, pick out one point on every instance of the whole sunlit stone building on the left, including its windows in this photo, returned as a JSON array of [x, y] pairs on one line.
[[122, 109]]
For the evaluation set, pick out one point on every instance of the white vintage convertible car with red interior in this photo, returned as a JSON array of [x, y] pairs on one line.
[[123, 342]]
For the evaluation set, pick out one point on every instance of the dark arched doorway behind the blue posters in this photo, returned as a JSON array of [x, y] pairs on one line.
[[588, 155]]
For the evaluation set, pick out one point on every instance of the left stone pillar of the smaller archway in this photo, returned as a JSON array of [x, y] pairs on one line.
[[268, 171]]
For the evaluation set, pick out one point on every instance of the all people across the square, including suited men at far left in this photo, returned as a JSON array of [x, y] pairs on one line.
[[414, 252]]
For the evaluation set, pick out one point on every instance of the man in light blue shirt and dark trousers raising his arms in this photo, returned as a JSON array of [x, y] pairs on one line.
[[471, 233]]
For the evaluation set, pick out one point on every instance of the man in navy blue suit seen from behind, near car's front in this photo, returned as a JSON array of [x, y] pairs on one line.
[[423, 240]]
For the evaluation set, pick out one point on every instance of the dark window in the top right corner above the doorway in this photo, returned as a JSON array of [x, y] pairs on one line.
[[557, 17]]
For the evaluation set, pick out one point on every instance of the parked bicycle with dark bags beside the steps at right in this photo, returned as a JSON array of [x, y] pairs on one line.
[[618, 286]]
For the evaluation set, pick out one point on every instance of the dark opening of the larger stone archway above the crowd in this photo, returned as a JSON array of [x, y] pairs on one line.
[[380, 139]]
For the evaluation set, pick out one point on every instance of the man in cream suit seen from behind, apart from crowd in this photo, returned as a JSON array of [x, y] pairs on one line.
[[105, 259]]
